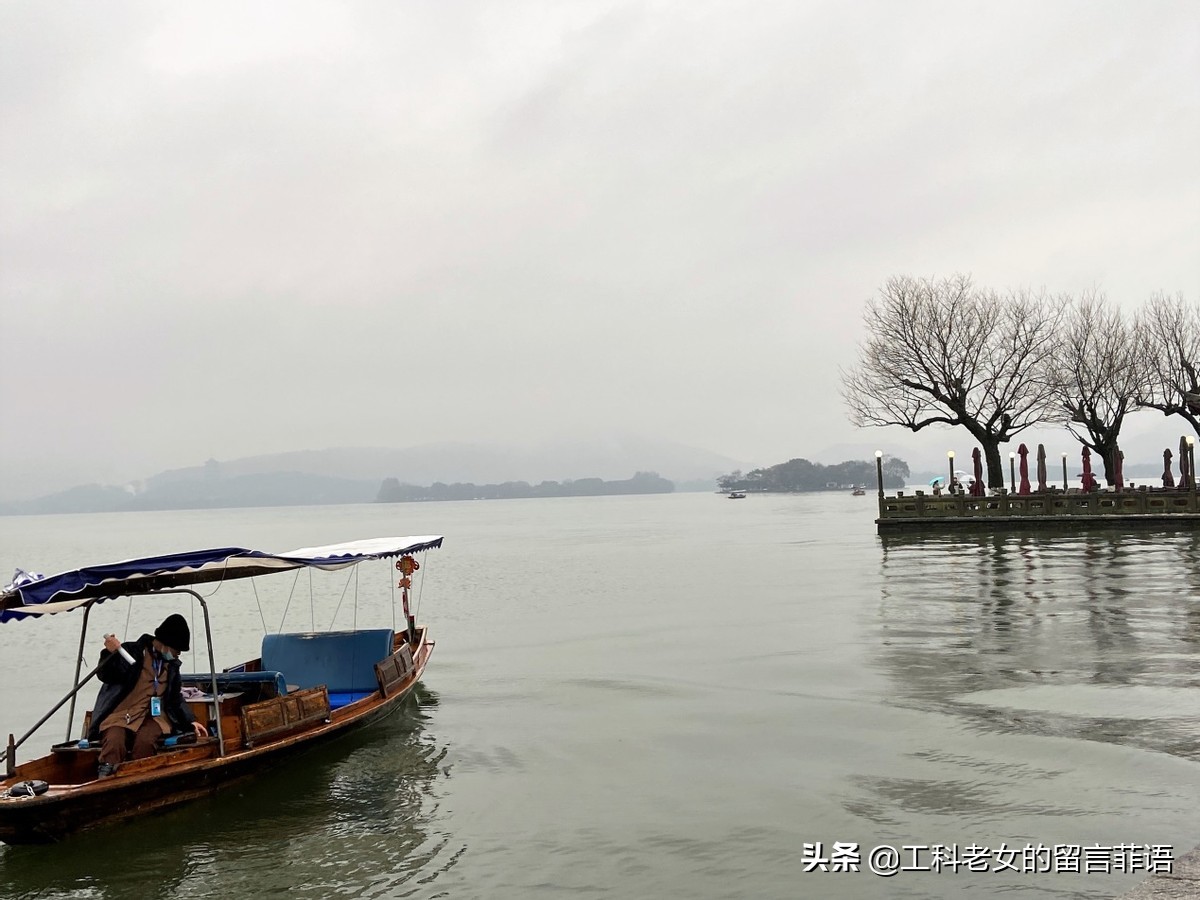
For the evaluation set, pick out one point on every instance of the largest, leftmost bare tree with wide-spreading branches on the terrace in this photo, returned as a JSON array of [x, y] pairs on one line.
[[946, 353]]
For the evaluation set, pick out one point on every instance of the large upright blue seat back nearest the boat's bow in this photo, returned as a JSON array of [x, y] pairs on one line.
[[341, 661]]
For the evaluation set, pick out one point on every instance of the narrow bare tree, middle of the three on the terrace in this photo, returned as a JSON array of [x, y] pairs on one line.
[[1101, 375]]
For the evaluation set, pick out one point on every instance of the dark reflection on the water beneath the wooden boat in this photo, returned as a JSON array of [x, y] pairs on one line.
[[350, 819]]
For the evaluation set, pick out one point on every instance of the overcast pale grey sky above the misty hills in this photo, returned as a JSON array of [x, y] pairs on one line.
[[233, 229]]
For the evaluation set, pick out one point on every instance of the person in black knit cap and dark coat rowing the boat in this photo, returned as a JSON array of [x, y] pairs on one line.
[[143, 701]]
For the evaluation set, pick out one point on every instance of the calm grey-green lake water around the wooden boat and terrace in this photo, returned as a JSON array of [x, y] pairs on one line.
[[668, 697]]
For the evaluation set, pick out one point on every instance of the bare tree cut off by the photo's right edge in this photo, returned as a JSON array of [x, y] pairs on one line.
[[1169, 333]]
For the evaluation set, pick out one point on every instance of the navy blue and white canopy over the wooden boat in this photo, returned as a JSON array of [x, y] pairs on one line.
[[49, 595]]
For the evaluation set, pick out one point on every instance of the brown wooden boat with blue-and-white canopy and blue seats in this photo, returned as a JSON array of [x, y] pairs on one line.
[[305, 688]]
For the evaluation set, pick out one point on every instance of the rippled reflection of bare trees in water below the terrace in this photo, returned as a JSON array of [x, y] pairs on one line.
[[971, 614]]
